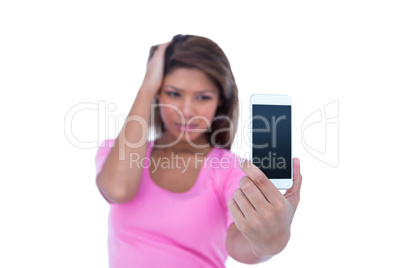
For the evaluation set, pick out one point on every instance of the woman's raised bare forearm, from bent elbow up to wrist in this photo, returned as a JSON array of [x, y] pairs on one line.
[[120, 176]]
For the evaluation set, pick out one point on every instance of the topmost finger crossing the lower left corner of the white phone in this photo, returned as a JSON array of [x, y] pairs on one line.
[[266, 187]]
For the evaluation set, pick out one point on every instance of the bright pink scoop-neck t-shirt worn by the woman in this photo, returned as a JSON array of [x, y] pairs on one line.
[[160, 228]]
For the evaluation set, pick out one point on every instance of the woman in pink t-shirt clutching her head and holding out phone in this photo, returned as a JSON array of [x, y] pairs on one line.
[[182, 200]]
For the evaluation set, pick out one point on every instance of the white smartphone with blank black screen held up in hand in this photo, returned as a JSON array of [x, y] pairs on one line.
[[271, 137]]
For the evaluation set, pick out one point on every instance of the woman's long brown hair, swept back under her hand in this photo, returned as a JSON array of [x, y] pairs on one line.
[[190, 51]]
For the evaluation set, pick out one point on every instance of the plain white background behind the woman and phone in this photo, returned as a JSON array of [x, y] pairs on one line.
[[57, 54]]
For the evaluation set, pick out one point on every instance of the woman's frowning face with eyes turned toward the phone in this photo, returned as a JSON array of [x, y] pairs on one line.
[[188, 100]]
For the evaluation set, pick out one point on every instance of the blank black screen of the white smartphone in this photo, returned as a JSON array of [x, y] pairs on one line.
[[272, 140]]
